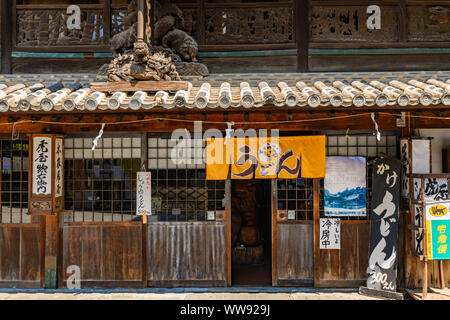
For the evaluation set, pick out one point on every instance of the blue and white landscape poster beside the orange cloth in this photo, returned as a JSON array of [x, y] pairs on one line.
[[345, 186]]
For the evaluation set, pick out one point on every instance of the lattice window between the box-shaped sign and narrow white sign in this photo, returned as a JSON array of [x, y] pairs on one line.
[[100, 185]]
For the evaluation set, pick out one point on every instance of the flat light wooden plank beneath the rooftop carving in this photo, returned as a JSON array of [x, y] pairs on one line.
[[139, 86]]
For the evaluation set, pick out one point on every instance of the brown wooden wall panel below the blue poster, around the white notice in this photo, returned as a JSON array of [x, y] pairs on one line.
[[346, 267]]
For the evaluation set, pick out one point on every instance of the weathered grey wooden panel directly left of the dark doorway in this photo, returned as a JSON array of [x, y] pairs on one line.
[[186, 253]]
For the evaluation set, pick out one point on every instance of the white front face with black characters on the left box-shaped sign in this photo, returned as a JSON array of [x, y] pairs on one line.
[[42, 165]]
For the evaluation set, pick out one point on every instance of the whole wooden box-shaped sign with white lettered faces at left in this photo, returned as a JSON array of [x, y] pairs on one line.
[[46, 180]]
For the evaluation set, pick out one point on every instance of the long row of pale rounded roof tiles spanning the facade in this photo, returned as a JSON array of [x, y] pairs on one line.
[[45, 93]]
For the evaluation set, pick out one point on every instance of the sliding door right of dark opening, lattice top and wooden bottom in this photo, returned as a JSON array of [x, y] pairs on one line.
[[292, 232]]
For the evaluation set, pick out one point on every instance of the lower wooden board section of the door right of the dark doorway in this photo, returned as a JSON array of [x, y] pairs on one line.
[[295, 254]]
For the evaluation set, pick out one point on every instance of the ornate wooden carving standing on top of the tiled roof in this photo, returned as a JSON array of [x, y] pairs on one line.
[[143, 61]]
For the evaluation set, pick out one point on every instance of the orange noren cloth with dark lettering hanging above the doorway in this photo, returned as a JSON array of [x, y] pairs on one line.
[[265, 158]]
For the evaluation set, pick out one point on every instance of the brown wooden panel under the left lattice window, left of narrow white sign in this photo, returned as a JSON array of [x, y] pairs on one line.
[[107, 254]]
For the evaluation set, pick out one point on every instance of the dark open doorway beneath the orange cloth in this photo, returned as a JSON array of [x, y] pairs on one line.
[[251, 232]]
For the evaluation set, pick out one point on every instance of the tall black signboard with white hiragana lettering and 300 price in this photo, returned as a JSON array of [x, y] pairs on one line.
[[383, 251]]
